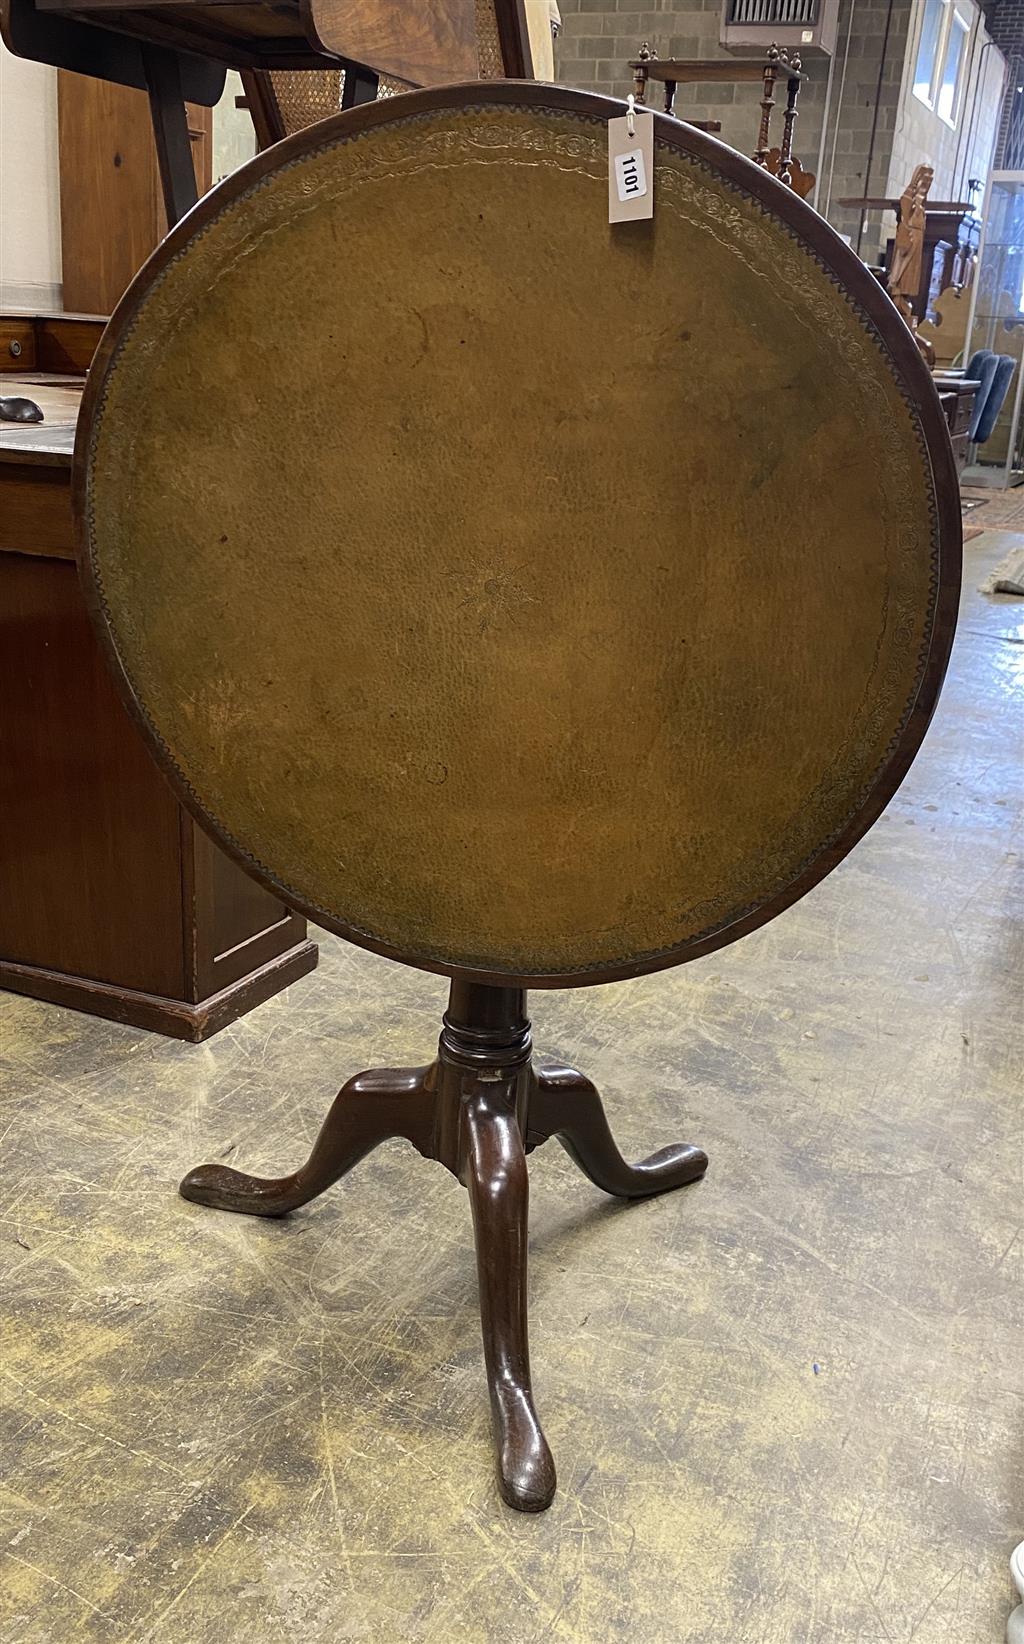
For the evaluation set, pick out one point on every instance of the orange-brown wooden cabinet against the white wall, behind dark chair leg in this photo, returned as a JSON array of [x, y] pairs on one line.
[[113, 211]]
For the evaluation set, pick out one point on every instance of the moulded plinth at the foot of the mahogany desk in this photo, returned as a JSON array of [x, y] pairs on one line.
[[175, 1018]]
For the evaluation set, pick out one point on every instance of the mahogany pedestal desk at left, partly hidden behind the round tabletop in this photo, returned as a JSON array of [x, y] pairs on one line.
[[114, 900]]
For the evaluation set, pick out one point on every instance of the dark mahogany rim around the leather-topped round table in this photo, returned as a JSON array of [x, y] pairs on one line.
[[841, 264]]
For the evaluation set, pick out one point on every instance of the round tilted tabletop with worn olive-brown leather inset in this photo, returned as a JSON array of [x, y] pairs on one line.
[[519, 596]]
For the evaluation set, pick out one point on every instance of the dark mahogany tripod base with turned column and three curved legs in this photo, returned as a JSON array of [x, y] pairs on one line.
[[479, 1109]]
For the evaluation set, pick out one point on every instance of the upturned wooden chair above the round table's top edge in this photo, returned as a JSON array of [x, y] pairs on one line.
[[178, 50]]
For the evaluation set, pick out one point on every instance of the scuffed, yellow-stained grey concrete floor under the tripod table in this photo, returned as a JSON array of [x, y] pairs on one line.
[[785, 1403]]
